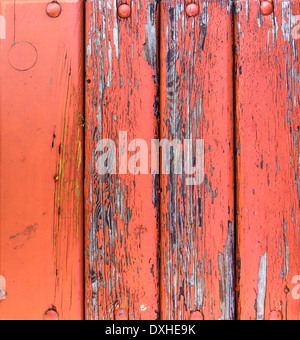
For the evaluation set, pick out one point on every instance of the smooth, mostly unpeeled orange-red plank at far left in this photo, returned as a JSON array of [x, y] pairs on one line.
[[41, 173]]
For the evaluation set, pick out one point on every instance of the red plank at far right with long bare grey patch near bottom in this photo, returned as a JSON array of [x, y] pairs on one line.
[[268, 159]]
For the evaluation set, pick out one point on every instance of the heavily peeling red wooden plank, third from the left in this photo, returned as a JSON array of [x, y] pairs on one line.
[[197, 222]]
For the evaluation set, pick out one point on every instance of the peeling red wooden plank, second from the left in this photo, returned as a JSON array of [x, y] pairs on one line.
[[121, 209]]
